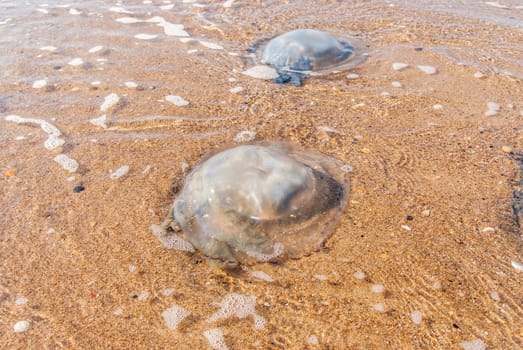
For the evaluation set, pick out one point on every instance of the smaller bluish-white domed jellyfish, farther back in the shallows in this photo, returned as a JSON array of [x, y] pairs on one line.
[[297, 53]]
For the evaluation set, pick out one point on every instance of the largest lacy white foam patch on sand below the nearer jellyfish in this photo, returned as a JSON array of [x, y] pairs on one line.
[[238, 305]]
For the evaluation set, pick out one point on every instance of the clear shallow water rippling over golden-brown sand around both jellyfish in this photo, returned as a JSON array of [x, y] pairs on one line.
[[428, 252]]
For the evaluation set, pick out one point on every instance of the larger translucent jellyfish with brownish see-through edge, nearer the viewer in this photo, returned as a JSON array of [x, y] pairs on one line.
[[260, 202]]
